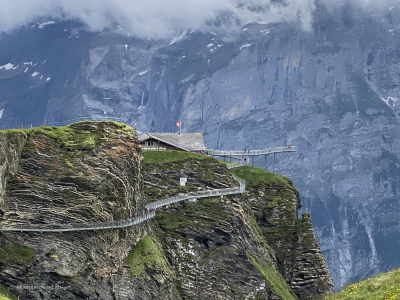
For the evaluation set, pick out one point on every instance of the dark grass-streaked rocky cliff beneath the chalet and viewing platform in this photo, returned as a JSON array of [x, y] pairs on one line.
[[238, 247]]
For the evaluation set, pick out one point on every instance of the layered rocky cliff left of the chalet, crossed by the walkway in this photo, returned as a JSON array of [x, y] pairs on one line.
[[82, 173]]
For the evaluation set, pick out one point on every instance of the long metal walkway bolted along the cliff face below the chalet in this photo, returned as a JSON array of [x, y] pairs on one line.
[[130, 222]]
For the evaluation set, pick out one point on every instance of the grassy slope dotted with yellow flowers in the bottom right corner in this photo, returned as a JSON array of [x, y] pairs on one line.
[[385, 286]]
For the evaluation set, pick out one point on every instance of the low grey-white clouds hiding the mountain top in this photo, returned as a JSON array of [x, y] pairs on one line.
[[162, 18]]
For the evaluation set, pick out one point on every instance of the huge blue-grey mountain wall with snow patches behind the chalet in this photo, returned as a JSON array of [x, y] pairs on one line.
[[332, 91]]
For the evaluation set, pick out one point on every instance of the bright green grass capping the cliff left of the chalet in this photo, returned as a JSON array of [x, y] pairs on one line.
[[85, 135]]
